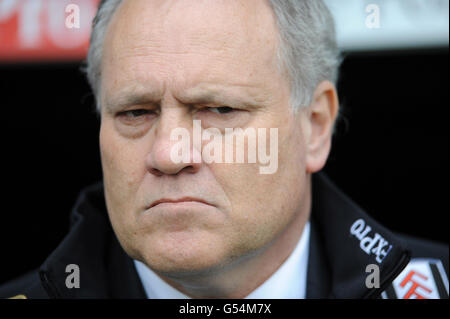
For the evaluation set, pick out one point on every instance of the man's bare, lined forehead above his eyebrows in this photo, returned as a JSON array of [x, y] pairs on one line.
[[185, 41]]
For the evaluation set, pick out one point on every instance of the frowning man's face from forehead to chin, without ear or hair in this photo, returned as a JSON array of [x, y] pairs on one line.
[[165, 64]]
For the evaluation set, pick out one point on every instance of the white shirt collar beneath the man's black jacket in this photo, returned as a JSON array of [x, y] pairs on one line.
[[288, 282]]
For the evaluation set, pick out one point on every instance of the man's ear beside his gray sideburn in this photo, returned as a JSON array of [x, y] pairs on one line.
[[321, 115]]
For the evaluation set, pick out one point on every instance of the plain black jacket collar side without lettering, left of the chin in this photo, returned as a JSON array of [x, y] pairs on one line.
[[92, 245]]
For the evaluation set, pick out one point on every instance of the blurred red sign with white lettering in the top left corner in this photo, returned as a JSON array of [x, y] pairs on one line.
[[45, 30]]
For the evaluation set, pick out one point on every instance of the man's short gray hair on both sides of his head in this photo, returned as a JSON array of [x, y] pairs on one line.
[[307, 52]]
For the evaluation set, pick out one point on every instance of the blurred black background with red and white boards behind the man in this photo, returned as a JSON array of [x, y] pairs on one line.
[[390, 151]]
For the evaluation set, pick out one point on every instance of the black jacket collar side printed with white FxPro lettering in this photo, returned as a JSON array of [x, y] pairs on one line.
[[344, 241]]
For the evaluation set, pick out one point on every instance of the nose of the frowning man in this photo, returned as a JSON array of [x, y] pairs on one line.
[[164, 157]]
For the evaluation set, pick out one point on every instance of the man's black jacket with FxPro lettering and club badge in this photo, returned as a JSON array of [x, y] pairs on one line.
[[344, 241]]
